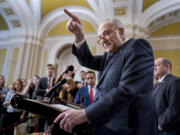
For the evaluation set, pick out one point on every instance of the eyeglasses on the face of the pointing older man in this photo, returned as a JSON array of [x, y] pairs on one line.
[[105, 35]]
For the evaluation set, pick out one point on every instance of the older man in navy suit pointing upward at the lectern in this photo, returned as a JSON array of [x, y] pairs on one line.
[[124, 105]]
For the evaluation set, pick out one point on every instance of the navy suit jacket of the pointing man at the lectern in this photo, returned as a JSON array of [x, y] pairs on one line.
[[125, 105]]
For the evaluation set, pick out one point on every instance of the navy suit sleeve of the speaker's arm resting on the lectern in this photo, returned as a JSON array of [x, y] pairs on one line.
[[136, 78]]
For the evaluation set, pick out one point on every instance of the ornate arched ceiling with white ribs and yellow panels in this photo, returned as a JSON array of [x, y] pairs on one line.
[[46, 17]]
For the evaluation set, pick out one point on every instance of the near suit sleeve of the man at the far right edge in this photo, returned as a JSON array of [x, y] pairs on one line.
[[170, 117]]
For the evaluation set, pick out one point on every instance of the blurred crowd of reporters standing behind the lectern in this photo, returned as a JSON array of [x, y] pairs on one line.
[[15, 121]]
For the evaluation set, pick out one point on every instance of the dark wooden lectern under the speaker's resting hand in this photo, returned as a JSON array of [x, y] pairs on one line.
[[51, 111]]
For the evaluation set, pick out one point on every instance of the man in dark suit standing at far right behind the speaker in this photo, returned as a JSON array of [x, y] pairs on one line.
[[167, 97]]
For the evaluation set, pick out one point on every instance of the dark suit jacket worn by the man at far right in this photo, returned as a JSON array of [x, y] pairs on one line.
[[167, 99]]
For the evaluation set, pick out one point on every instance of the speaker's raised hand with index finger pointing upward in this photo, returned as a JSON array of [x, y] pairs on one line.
[[74, 25]]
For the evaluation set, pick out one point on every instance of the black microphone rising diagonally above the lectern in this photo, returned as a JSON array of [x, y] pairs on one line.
[[53, 89]]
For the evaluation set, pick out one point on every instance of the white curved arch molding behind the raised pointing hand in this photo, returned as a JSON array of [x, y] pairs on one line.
[[58, 16]]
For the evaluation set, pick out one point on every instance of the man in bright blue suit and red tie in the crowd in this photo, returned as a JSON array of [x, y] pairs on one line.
[[88, 92]]
